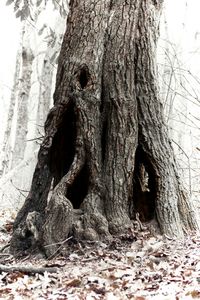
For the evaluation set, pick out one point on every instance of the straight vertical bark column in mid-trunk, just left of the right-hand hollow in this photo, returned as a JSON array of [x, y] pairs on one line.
[[122, 140]]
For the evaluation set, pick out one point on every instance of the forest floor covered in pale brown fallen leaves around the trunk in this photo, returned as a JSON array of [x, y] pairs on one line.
[[134, 266]]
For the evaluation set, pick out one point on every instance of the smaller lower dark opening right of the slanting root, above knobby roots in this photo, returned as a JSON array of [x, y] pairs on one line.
[[79, 189]]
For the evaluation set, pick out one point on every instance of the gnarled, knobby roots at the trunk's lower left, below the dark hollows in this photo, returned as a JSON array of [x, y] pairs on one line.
[[61, 221]]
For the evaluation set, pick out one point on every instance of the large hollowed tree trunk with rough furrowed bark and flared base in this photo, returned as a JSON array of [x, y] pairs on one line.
[[106, 151]]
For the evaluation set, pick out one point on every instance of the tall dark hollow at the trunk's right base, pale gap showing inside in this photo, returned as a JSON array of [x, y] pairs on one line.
[[144, 187]]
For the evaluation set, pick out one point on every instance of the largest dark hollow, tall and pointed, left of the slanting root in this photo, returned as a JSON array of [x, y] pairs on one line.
[[63, 146]]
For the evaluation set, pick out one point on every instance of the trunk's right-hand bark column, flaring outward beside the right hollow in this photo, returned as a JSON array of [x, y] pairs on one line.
[[152, 131]]
